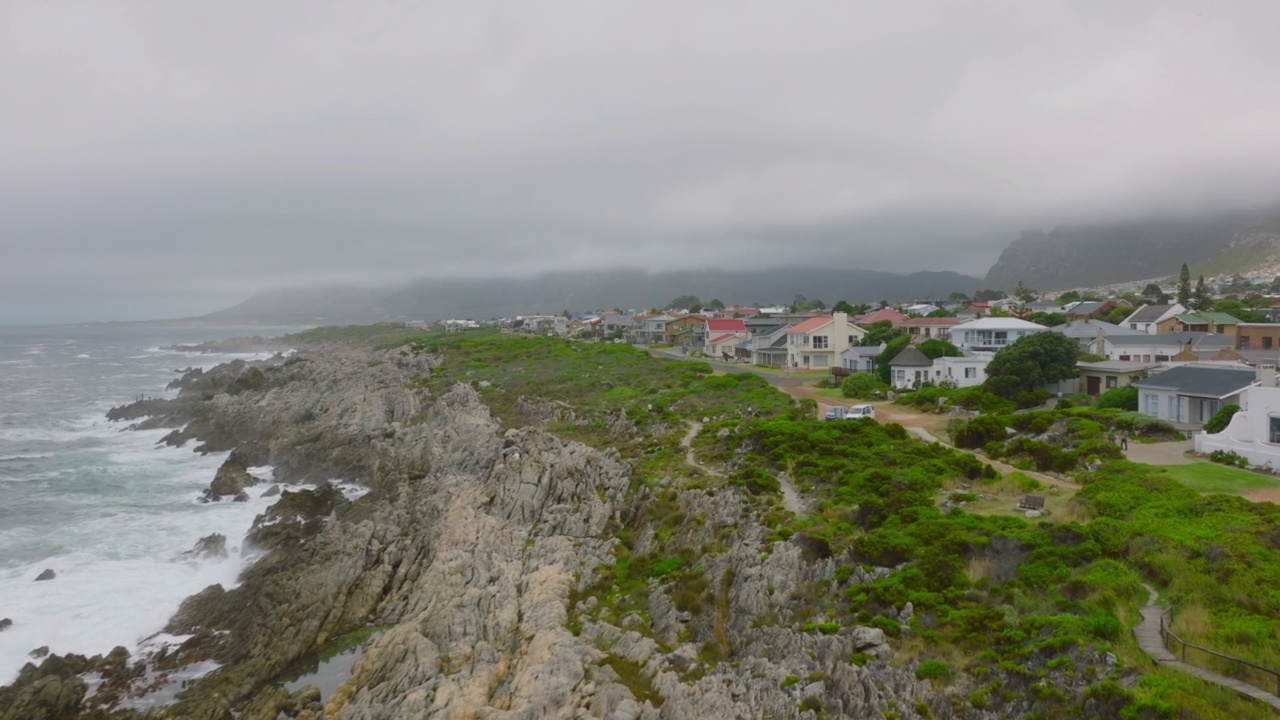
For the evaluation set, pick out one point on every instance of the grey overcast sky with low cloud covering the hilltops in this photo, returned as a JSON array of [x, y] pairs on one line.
[[171, 158]]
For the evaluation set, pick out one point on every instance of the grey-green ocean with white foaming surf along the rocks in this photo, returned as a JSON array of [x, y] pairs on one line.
[[109, 511]]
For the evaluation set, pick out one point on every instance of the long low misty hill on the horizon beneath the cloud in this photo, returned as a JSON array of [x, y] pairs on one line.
[[493, 298]]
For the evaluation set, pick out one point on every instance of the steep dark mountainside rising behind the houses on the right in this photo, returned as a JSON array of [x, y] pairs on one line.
[[1108, 254]]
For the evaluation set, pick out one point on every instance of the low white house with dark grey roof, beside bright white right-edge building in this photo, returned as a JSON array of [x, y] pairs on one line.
[[1190, 395]]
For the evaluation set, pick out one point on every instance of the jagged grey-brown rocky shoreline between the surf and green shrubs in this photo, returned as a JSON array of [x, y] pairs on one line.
[[472, 563]]
